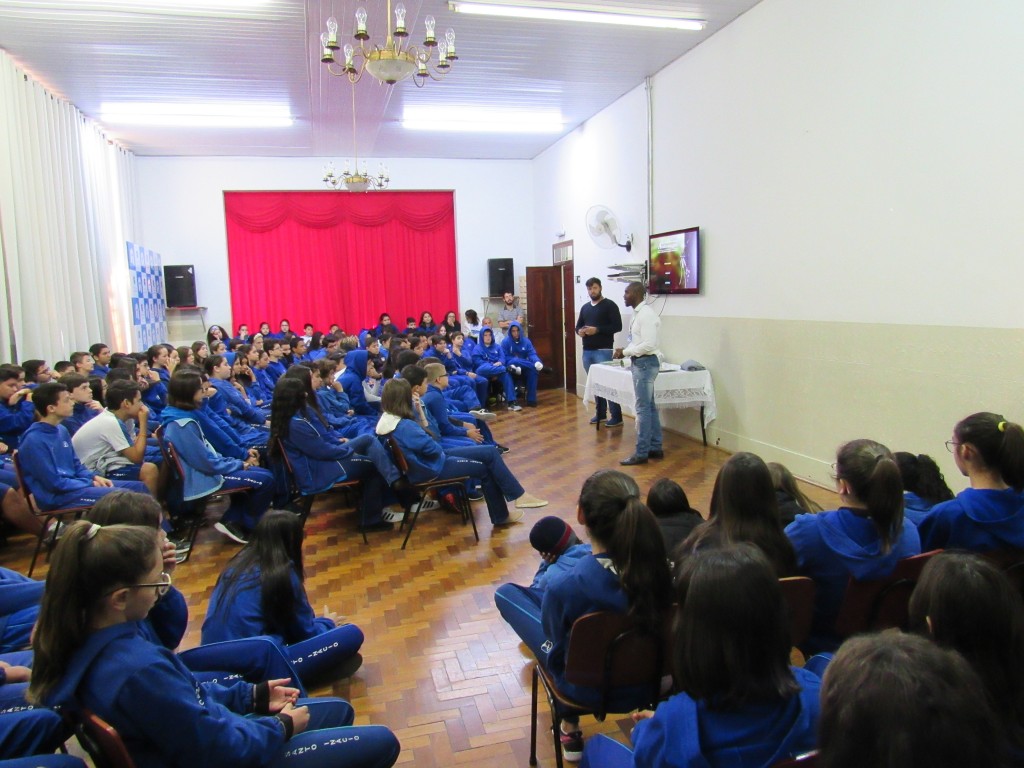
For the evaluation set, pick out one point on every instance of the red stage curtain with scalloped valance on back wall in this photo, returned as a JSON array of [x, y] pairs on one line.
[[326, 258]]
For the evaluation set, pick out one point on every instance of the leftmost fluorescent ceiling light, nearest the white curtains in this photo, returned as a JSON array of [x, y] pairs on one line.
[[204, 115]]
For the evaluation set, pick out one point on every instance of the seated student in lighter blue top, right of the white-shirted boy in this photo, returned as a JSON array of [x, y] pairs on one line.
[[207, 472]]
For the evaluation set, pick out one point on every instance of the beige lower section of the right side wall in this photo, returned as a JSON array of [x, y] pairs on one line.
[[792, 391]]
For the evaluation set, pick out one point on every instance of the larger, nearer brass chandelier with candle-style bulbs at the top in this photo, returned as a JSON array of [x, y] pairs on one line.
[[394, 61]]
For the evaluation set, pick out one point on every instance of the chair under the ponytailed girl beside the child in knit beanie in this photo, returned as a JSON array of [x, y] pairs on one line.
[[607, 652]]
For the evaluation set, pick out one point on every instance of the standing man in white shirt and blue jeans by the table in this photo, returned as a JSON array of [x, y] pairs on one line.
[[644, 353]]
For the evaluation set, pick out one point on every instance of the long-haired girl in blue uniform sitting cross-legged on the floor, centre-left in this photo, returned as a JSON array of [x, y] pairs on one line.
[[262, 592]]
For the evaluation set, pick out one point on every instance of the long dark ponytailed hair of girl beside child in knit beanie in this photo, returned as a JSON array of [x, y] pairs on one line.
[[629, 533]]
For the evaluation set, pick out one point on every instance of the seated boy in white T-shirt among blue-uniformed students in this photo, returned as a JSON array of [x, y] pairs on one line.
[[107, 445]]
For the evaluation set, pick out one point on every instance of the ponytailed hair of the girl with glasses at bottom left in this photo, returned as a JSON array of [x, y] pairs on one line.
[[89, 563]]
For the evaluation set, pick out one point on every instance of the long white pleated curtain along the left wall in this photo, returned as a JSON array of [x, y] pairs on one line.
[[67, 207]]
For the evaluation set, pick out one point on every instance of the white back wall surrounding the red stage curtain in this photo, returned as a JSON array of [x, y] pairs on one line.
[[183, 212]]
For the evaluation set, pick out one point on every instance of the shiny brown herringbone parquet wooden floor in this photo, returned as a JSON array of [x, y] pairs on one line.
[[442, 669]]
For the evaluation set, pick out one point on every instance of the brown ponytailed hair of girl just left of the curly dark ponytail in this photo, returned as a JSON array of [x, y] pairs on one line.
[[874, 477]]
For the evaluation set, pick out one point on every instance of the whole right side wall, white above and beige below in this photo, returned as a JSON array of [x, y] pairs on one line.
[[857, 172]]
